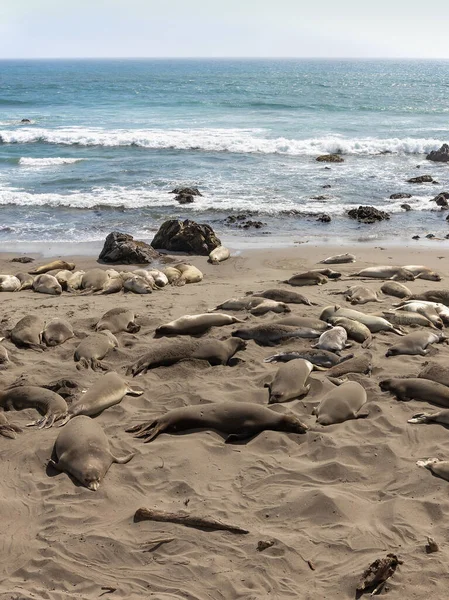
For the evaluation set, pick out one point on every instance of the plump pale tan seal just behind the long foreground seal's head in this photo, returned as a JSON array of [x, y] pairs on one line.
[[341, 404]]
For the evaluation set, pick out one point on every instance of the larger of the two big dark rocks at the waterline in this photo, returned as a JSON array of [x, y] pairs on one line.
[[186, 236]]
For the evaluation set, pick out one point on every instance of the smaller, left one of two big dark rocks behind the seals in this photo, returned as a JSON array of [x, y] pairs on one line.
[[122, 248]]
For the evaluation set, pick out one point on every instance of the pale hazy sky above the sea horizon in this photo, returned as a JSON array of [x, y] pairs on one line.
[[184, 28]]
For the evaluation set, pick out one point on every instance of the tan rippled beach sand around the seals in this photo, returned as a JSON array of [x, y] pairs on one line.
[[339, 496]]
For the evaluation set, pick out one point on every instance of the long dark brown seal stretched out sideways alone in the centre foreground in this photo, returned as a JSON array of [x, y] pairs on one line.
[[239, 420]]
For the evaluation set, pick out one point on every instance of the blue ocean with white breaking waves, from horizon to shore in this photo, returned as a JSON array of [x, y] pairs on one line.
[[109, 139]]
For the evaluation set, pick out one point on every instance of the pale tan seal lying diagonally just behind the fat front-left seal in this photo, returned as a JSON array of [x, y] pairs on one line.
[[107, 391]]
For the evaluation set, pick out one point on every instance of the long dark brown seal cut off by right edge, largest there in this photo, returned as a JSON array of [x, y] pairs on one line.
[[412, 388]]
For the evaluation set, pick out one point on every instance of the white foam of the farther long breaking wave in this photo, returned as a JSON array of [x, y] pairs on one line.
[[218, 140]]
